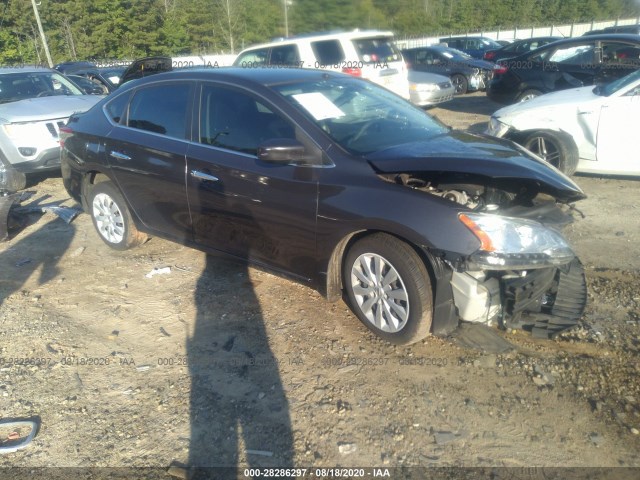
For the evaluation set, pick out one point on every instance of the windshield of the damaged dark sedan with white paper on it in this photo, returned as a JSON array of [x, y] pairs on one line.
[[359, 116]]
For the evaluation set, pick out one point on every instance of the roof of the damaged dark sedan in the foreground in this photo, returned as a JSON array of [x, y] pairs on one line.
[[235, 75]]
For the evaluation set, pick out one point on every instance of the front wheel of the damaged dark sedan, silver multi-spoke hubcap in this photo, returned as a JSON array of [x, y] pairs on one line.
[[388, 288]]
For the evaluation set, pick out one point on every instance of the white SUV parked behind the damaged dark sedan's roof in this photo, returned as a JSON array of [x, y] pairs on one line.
[[367, 54]]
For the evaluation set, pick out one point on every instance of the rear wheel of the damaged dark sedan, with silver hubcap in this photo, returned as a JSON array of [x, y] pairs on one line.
[[111, 217]]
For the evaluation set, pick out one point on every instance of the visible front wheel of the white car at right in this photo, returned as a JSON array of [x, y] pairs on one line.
[[557, 148]]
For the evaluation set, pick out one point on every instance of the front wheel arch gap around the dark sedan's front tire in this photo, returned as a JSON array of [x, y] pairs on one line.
[[336, 262]]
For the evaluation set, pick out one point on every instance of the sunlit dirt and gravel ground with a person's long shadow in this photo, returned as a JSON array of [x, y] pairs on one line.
[[217, 364]]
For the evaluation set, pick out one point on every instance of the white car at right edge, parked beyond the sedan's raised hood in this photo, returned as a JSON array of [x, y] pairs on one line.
[[587, 129]]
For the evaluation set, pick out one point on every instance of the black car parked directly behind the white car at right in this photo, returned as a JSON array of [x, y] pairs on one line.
[[569, 63]]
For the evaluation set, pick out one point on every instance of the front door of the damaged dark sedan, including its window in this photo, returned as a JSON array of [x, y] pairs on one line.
[[252, 209]]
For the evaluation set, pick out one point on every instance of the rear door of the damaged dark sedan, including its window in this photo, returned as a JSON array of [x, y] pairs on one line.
[[148, 158]]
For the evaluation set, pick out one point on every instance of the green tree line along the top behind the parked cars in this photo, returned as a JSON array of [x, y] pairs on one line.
[[127, 29]]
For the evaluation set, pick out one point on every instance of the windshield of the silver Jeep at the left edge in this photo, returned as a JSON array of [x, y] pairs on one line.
[[24, 85]]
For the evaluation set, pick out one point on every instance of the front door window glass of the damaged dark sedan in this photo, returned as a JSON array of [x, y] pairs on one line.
[[236, 121]]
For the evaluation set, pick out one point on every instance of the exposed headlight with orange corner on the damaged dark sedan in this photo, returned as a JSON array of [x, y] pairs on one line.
[[515, 243]]
